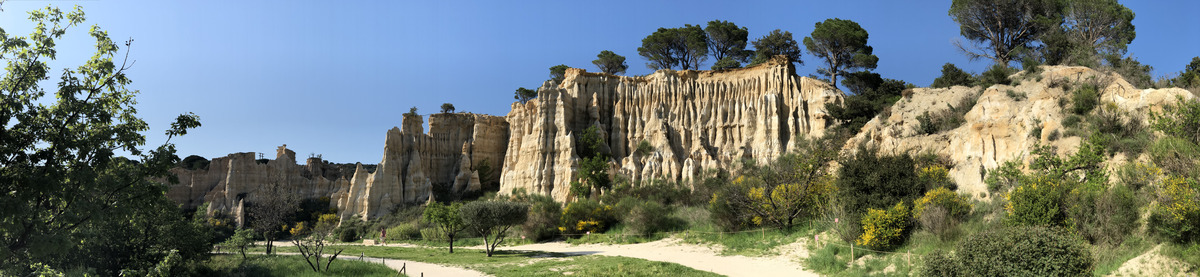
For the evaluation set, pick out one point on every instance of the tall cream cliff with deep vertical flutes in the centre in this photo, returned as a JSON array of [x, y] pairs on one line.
[[694, 121]]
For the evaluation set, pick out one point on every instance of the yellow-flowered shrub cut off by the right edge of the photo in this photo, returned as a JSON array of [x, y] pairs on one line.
[[1178, 214]]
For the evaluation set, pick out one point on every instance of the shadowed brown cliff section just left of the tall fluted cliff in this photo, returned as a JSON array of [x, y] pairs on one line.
[[449, 159]]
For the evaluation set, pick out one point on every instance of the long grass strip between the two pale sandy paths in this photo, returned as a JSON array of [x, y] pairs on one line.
[[513, 263]]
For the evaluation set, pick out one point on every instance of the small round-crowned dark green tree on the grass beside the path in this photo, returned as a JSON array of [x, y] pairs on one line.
[[493, 220]]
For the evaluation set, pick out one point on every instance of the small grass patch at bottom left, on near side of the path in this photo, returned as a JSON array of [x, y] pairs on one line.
[[289, 266]]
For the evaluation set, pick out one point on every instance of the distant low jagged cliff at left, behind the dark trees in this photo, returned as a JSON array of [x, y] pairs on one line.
[[236, 178]]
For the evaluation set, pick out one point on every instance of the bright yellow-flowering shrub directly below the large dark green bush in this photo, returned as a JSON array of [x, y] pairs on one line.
[[885, 230]]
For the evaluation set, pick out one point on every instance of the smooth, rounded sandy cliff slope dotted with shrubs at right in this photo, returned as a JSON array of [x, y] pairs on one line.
[[999, 129]]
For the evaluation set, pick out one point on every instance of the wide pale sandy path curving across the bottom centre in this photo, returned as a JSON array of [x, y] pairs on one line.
[[671, 251]]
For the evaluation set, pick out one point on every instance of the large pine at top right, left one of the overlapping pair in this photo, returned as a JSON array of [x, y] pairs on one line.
[[1001, 28]]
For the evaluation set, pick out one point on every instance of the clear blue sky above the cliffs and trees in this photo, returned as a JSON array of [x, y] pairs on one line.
[[333, 77]]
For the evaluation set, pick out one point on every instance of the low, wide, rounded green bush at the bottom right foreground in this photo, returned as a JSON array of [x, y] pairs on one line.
[[1023, 251]]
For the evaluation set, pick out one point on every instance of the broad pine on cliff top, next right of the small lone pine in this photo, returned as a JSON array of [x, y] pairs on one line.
[[668, 49]]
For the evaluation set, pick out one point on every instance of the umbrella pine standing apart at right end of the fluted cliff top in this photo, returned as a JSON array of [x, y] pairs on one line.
[[843, 45]]
